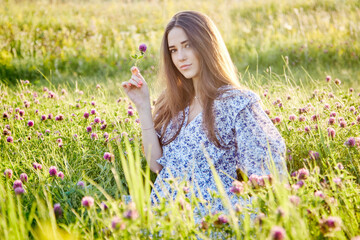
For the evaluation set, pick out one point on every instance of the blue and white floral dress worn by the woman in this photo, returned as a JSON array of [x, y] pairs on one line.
[[246, 130]]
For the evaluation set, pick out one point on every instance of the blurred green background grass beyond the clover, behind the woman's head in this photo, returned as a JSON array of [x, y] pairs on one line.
[[68, 40]]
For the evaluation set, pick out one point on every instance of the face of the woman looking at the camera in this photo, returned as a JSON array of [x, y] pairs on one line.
[[183, 54]]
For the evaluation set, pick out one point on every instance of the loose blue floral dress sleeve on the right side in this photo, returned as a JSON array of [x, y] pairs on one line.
[[259, 143]]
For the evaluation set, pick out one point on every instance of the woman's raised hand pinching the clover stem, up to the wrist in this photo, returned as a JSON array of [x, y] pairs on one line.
[[137, 89]]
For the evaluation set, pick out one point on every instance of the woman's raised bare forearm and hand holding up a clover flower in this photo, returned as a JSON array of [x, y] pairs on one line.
[[138, 92]]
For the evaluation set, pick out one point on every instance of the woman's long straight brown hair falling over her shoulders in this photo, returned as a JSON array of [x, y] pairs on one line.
[[216, 70]]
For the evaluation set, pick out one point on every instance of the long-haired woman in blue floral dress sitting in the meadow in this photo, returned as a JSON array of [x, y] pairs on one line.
[[202, 109]]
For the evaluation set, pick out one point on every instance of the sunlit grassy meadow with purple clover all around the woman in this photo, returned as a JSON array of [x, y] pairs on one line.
[[71, 140]]
